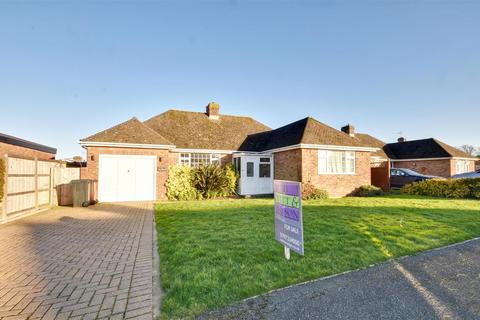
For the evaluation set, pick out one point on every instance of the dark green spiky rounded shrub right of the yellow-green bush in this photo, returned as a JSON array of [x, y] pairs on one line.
[[213, 181]]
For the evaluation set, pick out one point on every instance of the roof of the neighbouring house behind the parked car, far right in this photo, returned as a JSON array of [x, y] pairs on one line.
[[423, 149]]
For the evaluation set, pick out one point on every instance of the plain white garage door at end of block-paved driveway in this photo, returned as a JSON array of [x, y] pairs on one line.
[[126, 178]]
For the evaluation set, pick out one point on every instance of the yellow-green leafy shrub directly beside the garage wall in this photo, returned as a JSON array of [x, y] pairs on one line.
[[180, 184]]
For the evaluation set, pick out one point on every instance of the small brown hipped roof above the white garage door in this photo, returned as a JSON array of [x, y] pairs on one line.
[[131, 131]]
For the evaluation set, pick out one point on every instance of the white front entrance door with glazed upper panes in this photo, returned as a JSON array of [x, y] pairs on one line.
[[256, 175]]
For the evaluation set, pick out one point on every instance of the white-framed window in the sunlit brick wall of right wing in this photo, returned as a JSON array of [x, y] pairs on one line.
[[336, 162]]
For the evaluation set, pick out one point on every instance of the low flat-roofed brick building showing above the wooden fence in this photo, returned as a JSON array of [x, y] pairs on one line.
[[14, 146]]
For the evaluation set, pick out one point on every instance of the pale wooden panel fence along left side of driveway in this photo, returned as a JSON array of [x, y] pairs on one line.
[[30, 185]]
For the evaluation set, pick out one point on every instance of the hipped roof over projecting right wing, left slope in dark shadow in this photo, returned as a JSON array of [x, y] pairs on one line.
[[304, 131]]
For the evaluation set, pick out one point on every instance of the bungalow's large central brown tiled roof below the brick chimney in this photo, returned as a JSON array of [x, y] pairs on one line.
[[195, 130]]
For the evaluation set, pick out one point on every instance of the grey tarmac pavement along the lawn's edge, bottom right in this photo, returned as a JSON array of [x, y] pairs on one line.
[[438, 284]]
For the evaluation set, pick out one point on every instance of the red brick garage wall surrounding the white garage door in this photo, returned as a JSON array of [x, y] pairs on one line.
[[168, 158]]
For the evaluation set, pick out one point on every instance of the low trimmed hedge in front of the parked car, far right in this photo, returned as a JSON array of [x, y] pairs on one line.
[[454, 188]]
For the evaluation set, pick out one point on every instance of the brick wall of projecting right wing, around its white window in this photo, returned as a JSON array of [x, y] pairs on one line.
[[302, 165]]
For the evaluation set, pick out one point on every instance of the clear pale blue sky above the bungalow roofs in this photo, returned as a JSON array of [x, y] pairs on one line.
[[70, 69]]
